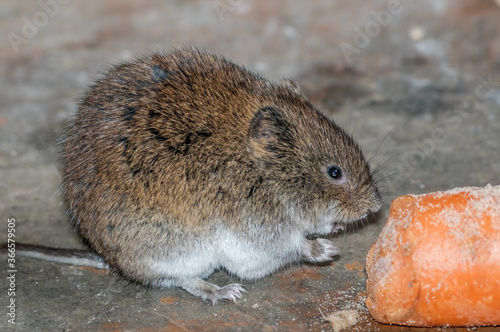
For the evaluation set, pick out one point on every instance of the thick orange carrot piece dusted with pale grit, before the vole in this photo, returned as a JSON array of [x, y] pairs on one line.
[[437, 260]]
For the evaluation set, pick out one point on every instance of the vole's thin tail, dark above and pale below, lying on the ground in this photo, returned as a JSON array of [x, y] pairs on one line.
[[58, 255]]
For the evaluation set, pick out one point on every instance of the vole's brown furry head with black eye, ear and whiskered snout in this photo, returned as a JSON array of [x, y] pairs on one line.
[[320, 171]]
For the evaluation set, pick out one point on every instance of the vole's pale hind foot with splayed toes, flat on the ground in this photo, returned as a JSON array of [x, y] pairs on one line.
[[208, 291]]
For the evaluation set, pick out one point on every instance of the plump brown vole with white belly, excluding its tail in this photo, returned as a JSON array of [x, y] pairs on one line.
[[179, 164]]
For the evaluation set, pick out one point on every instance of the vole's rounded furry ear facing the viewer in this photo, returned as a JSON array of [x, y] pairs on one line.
[[265, 132]]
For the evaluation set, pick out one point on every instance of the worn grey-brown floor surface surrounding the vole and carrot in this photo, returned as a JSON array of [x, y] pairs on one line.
[[403, 76]]
